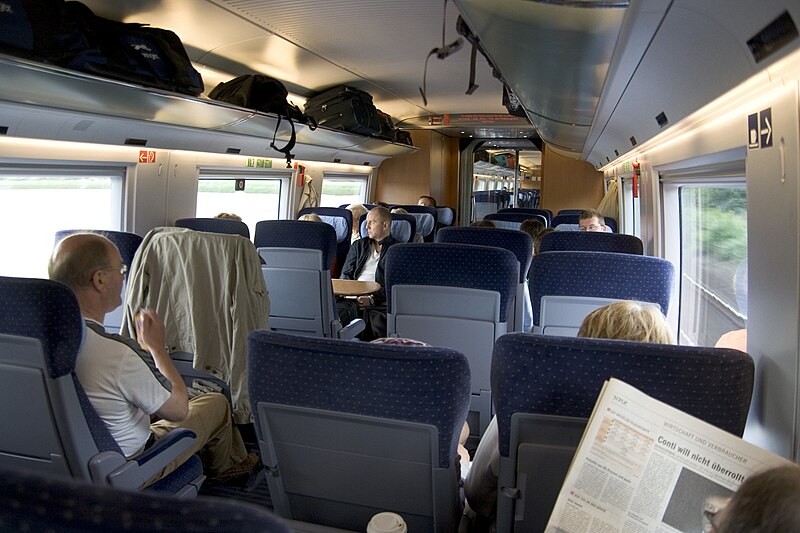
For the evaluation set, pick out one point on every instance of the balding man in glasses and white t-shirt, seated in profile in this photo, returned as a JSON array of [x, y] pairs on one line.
[[123, 385]]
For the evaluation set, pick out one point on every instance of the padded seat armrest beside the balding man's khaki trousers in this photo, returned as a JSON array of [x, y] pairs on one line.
[[136, 471]]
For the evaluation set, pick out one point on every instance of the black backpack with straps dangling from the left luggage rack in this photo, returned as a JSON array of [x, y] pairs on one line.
[[262, 93]]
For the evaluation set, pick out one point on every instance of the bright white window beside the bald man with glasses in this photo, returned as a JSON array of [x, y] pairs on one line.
[[35, 202]]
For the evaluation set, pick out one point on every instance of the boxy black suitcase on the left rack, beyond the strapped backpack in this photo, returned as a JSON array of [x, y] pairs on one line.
[[345, 108]]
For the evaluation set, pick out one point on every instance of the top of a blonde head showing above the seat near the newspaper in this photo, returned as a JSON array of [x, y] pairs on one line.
[[629, 321]]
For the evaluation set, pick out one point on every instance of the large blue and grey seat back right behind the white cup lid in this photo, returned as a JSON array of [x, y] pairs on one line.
[[351, 429]]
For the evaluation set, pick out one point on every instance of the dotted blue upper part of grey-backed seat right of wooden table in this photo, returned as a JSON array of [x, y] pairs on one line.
[[453, 265]]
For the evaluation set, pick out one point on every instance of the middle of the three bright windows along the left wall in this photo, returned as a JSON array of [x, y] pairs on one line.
[[252, 196]]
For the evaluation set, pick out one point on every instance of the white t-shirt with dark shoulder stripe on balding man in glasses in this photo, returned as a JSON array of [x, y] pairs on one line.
[[122, 388]]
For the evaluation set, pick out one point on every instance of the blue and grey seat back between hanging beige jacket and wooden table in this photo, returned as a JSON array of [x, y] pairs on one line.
[[297, 270]]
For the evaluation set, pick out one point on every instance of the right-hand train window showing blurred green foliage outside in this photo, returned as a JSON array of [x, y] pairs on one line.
[[713, 261]]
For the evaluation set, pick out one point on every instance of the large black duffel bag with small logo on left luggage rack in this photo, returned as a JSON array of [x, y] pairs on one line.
[[130, 52]]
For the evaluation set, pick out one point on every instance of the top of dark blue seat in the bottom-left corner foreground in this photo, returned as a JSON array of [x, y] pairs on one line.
[[30, 501]]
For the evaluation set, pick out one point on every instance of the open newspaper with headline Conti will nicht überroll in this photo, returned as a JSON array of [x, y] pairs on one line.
[[643, 466]]
